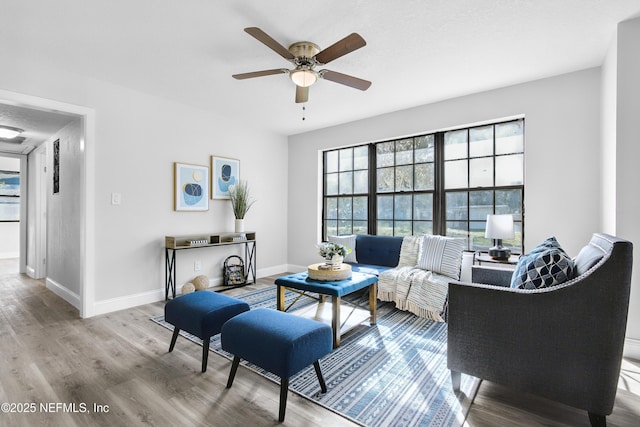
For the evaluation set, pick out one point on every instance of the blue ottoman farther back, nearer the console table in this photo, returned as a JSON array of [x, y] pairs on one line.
[[202, 314]]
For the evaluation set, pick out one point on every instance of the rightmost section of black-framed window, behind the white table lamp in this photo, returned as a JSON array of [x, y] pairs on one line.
[[483, 174]]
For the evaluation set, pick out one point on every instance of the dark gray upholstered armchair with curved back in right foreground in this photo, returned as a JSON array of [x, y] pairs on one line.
[[563, 343]]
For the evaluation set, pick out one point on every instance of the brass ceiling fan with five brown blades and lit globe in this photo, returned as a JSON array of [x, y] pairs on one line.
[[305, 56]]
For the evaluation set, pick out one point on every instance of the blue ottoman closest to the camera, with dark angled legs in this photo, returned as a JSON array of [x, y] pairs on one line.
[[278, 342]]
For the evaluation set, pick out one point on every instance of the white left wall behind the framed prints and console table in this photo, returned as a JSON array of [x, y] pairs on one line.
[[137, 139]]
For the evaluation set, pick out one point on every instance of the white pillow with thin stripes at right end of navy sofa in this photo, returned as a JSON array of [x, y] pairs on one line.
[[441, 254]]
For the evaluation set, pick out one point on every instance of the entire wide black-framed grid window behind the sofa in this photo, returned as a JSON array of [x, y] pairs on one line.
[[442, 183]]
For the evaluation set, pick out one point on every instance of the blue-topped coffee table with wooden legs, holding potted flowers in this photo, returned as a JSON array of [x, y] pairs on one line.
[[335, 289]]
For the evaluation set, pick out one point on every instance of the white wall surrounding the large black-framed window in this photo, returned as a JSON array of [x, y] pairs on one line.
[[562, 156]]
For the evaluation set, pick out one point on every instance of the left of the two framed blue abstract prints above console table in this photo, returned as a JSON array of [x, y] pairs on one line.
[[191, 187]]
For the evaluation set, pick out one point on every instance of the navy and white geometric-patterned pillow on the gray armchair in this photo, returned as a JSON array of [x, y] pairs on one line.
[[546, 265]]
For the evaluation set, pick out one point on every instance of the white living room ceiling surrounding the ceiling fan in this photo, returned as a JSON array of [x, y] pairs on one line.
[[418, 51]]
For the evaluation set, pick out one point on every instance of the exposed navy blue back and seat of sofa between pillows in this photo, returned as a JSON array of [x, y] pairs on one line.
[[375, 254]]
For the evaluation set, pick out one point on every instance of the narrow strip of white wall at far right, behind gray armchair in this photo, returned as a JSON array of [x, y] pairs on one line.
[[627, 155]]
